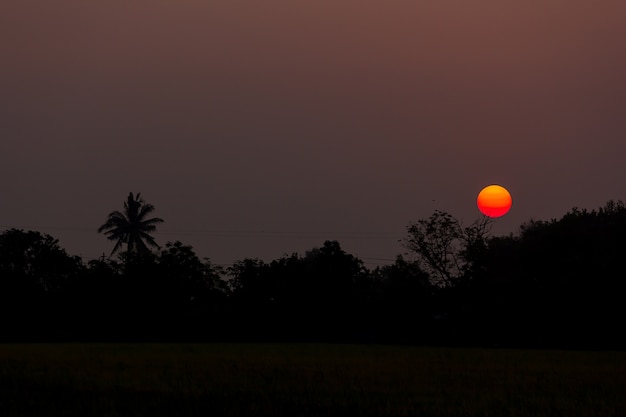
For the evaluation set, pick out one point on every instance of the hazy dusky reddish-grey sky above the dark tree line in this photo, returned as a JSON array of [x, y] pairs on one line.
[[264, 128]]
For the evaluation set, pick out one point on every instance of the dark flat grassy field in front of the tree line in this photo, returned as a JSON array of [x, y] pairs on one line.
[[306, 380]]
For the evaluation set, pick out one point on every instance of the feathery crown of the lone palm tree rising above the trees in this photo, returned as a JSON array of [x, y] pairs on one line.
[[131, 226]]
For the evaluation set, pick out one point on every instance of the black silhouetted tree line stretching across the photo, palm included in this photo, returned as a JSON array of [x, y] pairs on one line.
[[556, 283]]
